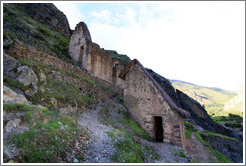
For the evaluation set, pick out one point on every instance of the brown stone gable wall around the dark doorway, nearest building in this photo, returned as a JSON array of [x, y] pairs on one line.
[[145, 102]]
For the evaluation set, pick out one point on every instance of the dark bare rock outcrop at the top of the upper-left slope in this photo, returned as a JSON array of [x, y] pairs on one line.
[[48, 14]]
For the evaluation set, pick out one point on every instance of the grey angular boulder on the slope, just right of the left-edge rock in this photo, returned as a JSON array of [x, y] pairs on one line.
[[26, 75]]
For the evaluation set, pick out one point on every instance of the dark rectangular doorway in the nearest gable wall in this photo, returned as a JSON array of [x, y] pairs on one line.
[[158, 129]]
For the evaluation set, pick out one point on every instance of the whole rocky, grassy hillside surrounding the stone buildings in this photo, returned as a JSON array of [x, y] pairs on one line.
[[56, 112]]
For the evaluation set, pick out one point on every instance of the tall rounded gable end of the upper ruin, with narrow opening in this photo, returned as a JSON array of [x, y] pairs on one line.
[[79, 45]]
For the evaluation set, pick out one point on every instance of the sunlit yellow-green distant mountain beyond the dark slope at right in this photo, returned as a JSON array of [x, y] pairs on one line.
[[213, 99]]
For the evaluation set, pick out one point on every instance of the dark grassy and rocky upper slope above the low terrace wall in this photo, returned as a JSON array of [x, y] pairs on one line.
[[41, 26]]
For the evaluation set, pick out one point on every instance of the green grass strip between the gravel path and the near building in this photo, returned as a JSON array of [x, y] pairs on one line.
[[128, 149]]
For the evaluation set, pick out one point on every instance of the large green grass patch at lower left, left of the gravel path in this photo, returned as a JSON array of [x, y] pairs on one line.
[[51, 135]]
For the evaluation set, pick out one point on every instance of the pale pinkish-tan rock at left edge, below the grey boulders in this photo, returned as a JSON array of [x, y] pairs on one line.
[[9, 96]]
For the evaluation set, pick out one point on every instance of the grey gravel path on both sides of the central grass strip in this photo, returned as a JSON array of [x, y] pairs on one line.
[[101, 148]]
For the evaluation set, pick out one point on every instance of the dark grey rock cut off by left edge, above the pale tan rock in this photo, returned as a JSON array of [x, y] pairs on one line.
[[8, 66]]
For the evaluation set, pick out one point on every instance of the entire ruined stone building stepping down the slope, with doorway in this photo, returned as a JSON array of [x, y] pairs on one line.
[[148, 103]]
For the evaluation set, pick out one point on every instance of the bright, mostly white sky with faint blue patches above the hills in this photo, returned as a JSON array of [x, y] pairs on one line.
[[198, 42]]
